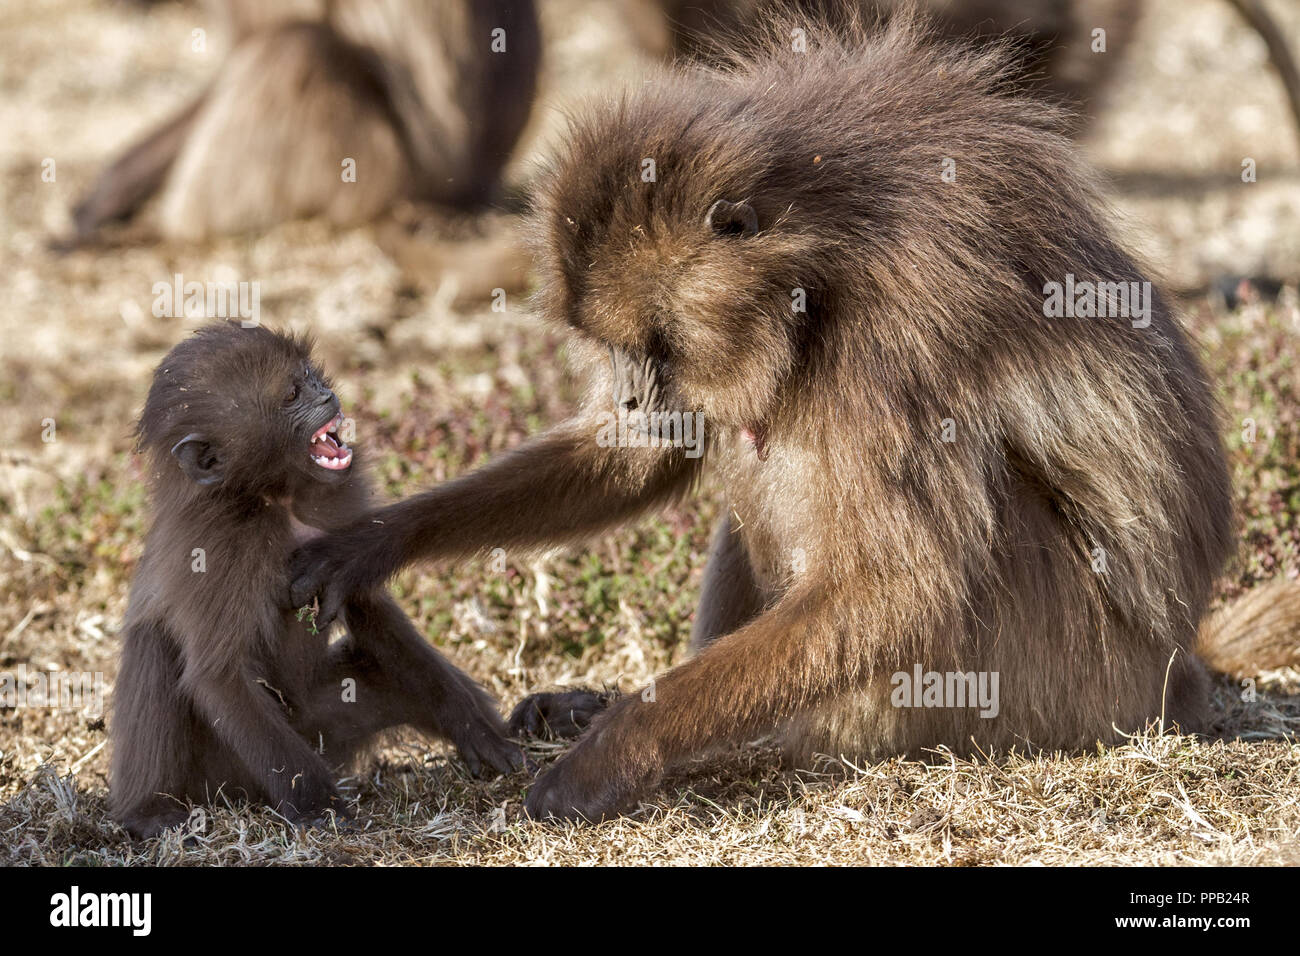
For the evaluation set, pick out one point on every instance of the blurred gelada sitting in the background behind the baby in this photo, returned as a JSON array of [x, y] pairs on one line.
[[336, 110]]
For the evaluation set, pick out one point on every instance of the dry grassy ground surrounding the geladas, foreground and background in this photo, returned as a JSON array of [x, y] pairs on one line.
[[436, 391]]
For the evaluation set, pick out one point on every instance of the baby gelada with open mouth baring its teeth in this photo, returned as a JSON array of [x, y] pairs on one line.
[[220, 691]]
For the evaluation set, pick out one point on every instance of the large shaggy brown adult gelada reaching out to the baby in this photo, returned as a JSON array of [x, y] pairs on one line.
[[843, 261]]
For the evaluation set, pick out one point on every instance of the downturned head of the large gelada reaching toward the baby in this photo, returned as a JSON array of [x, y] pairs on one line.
[[668, 252]]
